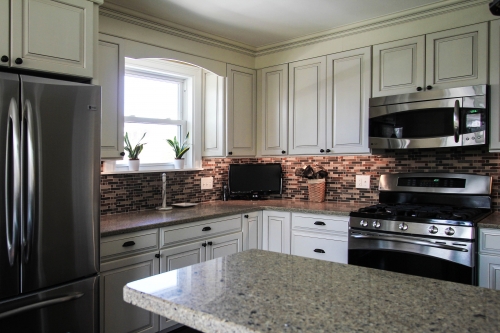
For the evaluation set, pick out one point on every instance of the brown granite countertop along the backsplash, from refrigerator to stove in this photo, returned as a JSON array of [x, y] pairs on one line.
[[148, 219]]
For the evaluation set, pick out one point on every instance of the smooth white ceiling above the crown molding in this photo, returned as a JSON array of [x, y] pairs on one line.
[[263, 22]]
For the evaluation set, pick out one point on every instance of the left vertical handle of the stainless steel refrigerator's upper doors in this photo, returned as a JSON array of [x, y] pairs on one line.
[[12, 181]]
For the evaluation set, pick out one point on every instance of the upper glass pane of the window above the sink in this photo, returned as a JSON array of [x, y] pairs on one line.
[[150, 98]]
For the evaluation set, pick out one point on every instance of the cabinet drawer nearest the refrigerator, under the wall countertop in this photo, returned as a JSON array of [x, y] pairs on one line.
[[129, 243]]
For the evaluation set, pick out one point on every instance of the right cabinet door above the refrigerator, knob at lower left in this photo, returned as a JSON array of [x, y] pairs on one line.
[[53, 36]]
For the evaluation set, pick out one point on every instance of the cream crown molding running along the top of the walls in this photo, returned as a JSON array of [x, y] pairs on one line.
[[149, 22]]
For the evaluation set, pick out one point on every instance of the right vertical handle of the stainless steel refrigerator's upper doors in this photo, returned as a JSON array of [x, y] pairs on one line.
[[28, 172]]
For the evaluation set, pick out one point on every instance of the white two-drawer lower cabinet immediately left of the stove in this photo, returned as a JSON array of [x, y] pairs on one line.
[[320, 237]]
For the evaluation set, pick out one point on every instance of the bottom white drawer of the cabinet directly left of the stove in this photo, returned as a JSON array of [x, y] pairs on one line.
[[318, 246]]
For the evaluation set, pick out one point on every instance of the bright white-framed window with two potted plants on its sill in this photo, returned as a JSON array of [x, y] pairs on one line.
[[157, 102]]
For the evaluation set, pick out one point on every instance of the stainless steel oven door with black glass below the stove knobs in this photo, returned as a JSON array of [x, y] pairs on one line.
[[427, 257]]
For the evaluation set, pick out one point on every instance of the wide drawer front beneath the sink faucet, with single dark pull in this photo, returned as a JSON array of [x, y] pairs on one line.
[[192, 231]]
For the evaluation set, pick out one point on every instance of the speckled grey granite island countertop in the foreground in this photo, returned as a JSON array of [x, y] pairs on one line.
[[262, 291]]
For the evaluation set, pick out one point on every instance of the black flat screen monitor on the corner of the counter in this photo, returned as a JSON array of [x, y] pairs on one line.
[[254, 180]]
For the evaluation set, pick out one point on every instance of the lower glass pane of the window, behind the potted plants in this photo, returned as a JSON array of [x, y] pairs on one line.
[[156, 149]]
